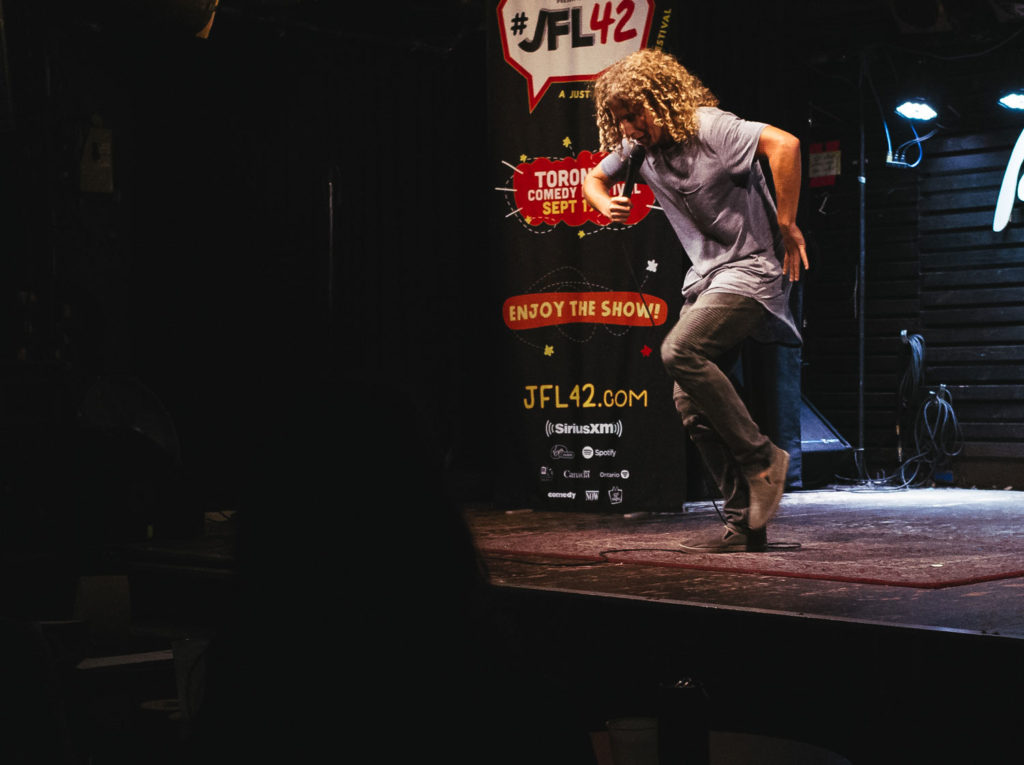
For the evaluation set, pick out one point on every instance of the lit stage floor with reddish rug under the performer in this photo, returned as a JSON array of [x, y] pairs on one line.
[[945, 560]]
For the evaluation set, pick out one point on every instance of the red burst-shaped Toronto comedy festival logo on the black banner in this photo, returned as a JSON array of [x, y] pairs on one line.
[[551, 192]]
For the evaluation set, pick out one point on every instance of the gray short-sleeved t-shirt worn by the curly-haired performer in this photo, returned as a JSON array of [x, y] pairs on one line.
[[717, 200]]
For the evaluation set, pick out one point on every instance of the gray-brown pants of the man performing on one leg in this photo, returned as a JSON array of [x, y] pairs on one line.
[[698, 353]]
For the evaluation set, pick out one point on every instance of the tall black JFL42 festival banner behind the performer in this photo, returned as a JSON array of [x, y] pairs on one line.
[[587, 419]]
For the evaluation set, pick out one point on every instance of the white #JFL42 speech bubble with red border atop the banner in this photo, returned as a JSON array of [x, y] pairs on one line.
[[570, 45]]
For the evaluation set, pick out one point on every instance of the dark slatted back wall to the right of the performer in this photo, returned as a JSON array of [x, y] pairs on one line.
[[933, 266]]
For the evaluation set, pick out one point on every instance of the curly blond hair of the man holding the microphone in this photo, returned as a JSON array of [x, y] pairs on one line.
[[656, 80]]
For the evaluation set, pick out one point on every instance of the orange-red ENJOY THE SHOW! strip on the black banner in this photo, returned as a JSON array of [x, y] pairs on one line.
[[549, 309]]
